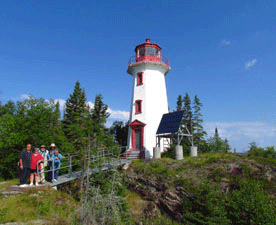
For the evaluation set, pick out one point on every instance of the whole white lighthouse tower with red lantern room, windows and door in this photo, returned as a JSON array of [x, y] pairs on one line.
[[149, 97]]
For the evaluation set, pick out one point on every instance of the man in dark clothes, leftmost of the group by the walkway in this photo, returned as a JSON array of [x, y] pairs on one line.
[[25, 160]]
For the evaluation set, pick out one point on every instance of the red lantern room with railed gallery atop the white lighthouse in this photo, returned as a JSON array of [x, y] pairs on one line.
[[149, 52]]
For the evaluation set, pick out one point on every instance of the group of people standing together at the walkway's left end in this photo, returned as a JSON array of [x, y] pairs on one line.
[[32, 164]]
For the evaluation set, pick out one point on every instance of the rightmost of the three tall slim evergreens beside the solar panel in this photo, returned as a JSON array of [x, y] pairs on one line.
[[198, 132]]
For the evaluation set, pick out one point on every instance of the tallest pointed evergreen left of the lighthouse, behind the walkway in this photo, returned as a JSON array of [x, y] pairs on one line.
[[76, 116]]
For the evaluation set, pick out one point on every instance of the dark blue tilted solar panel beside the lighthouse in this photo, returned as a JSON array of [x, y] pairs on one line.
[[170, 122]]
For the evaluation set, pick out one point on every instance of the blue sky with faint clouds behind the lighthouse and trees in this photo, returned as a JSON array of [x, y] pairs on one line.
[[223, 51]]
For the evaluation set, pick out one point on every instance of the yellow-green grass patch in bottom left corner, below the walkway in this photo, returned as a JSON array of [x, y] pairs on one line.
[[43, 203]]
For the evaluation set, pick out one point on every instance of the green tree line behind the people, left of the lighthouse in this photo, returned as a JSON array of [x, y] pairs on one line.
[[38, 121]]
